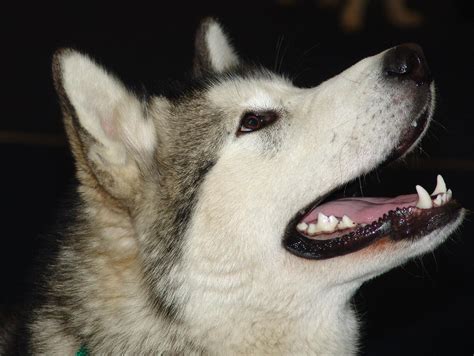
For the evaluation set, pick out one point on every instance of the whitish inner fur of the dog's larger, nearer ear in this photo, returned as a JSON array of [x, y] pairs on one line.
[[112, 115]]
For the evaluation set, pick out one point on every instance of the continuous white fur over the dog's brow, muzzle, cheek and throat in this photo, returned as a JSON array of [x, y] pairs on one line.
[[236, 267]]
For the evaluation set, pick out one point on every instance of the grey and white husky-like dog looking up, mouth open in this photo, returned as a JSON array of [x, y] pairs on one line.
[[213, 219]]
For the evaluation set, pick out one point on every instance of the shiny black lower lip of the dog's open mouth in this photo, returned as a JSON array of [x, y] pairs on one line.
[[400, 224]]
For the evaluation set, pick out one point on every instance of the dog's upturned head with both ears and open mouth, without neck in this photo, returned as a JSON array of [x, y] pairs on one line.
[[229, 185]]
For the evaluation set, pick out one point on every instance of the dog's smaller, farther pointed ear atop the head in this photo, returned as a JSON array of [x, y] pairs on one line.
[[214, 52]]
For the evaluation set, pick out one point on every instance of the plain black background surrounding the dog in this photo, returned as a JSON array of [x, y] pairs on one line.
[[422, 308]]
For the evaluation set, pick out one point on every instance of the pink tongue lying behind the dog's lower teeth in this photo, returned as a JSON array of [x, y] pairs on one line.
[[362, 210]]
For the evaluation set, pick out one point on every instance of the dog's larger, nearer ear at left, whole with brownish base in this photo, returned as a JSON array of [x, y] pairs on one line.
[[109, 133]]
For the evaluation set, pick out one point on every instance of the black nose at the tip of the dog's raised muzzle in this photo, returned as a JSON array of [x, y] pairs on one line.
[[407, 62]]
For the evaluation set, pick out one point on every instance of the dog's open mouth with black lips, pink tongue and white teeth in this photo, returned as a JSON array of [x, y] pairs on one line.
[[336, 226]]
